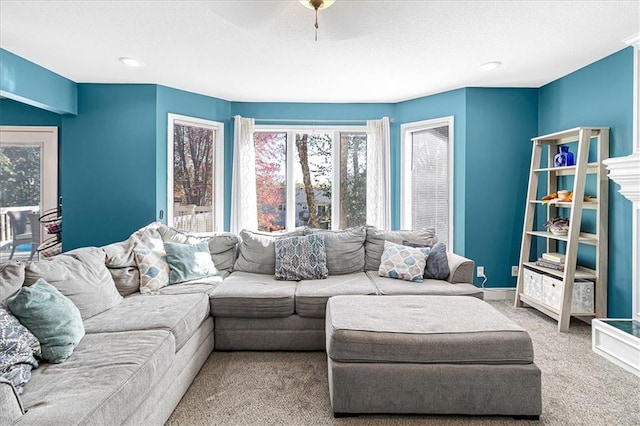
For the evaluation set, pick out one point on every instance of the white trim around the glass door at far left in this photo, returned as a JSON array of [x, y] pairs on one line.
[[45, 137]]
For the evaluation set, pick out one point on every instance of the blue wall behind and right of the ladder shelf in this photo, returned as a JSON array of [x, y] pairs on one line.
[[601, 94]]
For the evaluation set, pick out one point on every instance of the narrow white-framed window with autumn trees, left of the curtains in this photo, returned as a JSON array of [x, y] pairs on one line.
[[195, 174]]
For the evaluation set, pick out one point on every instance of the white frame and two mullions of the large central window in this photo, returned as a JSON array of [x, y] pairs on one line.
[[291, 131]]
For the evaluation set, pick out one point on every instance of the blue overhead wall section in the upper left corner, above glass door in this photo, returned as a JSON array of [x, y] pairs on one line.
[[34, 85]]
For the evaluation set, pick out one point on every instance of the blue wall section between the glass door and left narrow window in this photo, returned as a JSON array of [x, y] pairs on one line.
[[108, 164]]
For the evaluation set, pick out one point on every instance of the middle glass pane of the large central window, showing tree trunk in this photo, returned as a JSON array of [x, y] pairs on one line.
[[312, 179]]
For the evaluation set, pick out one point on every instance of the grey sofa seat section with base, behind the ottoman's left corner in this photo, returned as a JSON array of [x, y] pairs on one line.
[[312, 296]]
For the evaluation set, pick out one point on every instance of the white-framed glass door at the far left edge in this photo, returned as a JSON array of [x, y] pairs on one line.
[[28, 188]]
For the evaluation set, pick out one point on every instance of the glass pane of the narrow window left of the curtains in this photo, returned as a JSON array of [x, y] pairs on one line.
[[193, 171]]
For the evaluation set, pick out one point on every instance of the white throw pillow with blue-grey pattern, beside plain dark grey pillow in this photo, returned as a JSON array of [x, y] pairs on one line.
[[403, 262]]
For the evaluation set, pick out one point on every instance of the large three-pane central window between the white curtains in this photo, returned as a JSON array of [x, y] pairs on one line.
[[310, 178]]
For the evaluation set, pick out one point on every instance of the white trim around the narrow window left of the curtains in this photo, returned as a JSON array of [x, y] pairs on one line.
[[218, 182]]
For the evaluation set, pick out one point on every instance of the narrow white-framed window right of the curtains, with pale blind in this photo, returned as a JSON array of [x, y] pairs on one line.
[[427, 183]]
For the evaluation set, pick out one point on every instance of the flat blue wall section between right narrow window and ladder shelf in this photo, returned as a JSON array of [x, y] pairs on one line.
[[500, 124]]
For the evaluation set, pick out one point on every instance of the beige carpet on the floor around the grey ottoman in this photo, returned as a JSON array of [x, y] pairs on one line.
[[290, 388]]
